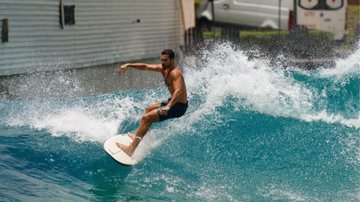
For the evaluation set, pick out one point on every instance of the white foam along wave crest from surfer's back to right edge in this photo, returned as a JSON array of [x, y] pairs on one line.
[[226, 72]]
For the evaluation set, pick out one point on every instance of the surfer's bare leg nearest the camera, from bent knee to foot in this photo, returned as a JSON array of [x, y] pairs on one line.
[[145, 124]]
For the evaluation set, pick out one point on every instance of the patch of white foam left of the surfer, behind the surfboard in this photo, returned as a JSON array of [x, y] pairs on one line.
[[84, 123]]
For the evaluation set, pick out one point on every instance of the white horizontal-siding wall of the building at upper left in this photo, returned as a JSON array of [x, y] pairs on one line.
[[105, 32]]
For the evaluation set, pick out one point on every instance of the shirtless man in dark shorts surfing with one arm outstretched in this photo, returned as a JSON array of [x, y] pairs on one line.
[[174, 107]]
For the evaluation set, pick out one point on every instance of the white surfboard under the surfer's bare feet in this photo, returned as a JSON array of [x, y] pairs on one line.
[[116, 153]]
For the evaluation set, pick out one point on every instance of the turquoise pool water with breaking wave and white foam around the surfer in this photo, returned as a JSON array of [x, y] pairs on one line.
[[253, 132]]
